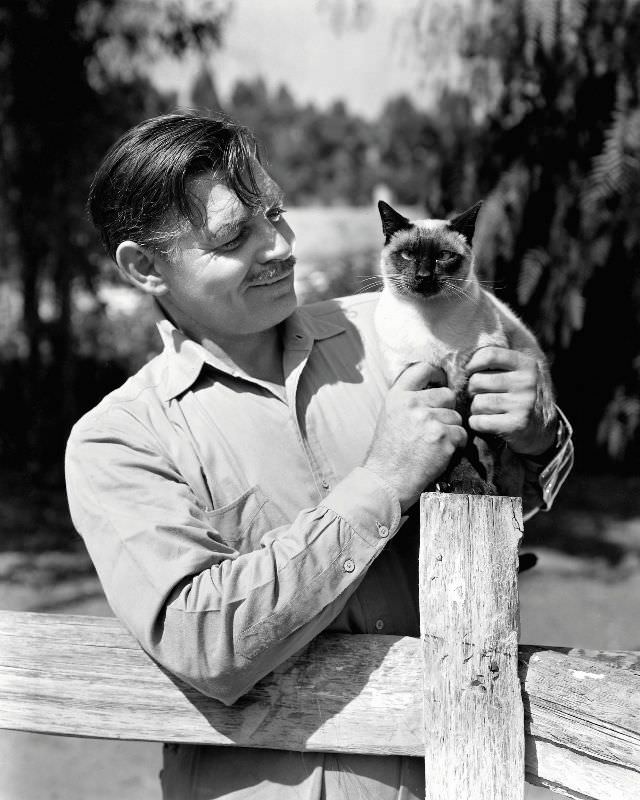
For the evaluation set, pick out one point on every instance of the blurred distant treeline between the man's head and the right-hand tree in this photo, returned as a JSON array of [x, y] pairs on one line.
[[333, 157]]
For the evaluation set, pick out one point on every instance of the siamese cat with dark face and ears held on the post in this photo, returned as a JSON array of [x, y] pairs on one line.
[[433, 308]]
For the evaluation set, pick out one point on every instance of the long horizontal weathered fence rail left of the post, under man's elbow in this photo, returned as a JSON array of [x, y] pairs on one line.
[[87, 676]]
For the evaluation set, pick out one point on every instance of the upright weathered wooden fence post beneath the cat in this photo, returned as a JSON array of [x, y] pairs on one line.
[[473, 713]]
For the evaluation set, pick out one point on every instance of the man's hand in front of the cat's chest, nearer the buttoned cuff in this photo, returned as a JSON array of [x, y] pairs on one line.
[[417, 433]]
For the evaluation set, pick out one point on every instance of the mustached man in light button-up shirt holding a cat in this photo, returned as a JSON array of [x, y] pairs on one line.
[[244, 490]]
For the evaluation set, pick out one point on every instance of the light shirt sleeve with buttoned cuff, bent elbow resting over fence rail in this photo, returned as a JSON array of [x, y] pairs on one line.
[[215, 618]]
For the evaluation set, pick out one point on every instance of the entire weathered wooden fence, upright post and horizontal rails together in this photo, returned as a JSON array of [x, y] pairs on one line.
[[486, 713]]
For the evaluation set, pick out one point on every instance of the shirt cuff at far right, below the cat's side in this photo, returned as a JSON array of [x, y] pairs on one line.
[[544, 477]]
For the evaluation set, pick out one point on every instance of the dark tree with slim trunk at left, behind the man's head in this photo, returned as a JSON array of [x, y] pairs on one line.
[[72, 79]]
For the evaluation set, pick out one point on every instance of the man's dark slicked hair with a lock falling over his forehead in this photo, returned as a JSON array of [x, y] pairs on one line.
[[139, 191]]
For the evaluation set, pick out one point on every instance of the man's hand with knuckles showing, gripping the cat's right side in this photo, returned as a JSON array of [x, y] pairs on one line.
[[505, 386]]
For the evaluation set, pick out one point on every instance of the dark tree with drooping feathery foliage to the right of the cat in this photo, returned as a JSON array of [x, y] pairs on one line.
[[554, 87]]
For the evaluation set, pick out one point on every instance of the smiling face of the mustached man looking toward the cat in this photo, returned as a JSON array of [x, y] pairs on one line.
[[233, 276]]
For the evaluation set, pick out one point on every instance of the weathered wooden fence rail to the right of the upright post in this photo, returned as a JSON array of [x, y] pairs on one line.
[[589, 702]]
